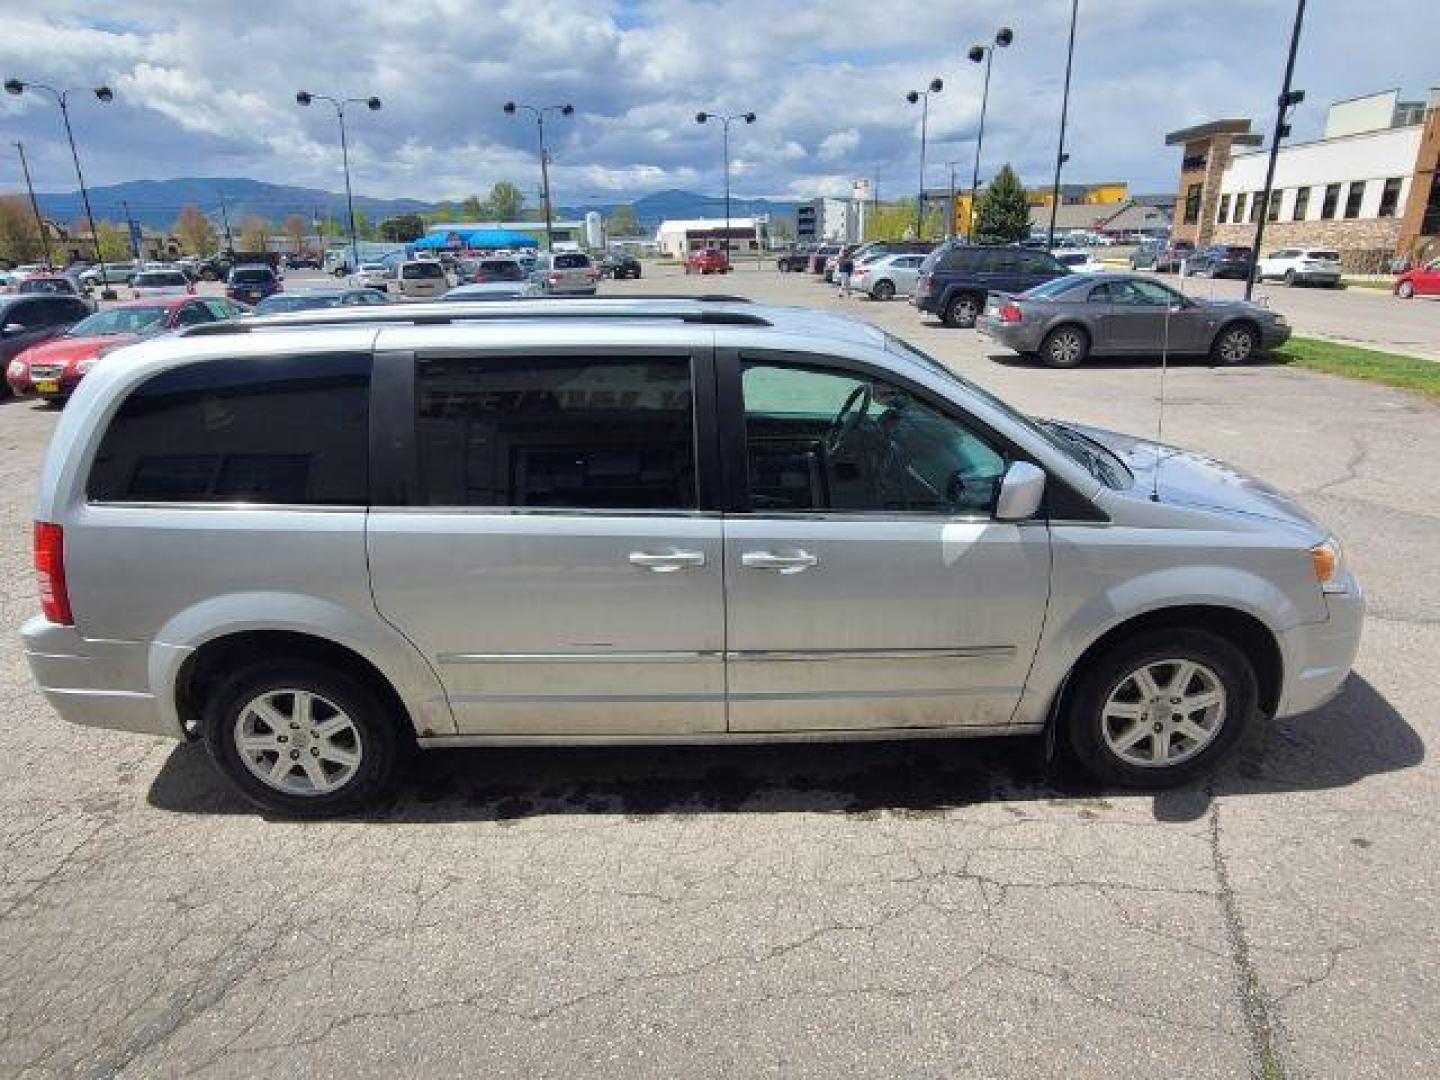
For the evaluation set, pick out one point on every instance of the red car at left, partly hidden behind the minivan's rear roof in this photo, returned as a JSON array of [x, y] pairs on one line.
[[55, 368]]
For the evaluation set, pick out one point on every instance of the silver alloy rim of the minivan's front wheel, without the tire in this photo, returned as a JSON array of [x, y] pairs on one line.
[[1164, 714]]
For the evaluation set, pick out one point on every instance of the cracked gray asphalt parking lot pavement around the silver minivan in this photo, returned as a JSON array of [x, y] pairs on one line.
[[930, 909]]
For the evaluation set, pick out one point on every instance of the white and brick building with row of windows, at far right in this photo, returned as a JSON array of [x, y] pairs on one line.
[[1367, 188]]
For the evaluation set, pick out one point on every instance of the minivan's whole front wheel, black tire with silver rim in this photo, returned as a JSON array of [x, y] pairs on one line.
[[1160, 709]]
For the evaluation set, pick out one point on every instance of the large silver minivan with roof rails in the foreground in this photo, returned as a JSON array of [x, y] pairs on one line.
[[315, 541]]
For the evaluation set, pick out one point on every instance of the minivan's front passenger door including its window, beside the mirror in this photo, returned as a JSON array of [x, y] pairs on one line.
[[868, 584]]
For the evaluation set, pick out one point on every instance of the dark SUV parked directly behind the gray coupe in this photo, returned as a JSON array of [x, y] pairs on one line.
[[955, 279]]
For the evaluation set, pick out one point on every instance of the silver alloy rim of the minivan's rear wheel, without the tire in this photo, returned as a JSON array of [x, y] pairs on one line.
[[299, 742]]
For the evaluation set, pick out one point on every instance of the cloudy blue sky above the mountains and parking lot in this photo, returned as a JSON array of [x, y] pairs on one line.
[[208, 90]]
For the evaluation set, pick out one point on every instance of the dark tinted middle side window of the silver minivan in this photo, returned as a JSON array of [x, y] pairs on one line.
[[575, 433]]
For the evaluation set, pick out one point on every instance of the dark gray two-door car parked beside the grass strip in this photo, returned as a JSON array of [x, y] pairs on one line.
[[1122, 315]]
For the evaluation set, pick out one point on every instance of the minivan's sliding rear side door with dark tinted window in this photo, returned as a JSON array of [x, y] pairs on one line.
[[551, 558]]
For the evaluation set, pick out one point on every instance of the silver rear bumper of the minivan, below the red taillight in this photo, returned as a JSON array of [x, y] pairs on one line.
[[96, 683]]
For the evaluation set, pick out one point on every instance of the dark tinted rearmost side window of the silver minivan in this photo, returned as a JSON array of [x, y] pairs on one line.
[[256, 430]]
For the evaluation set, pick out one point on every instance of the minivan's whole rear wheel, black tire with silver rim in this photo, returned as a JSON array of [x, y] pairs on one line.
[[302, 739]]
